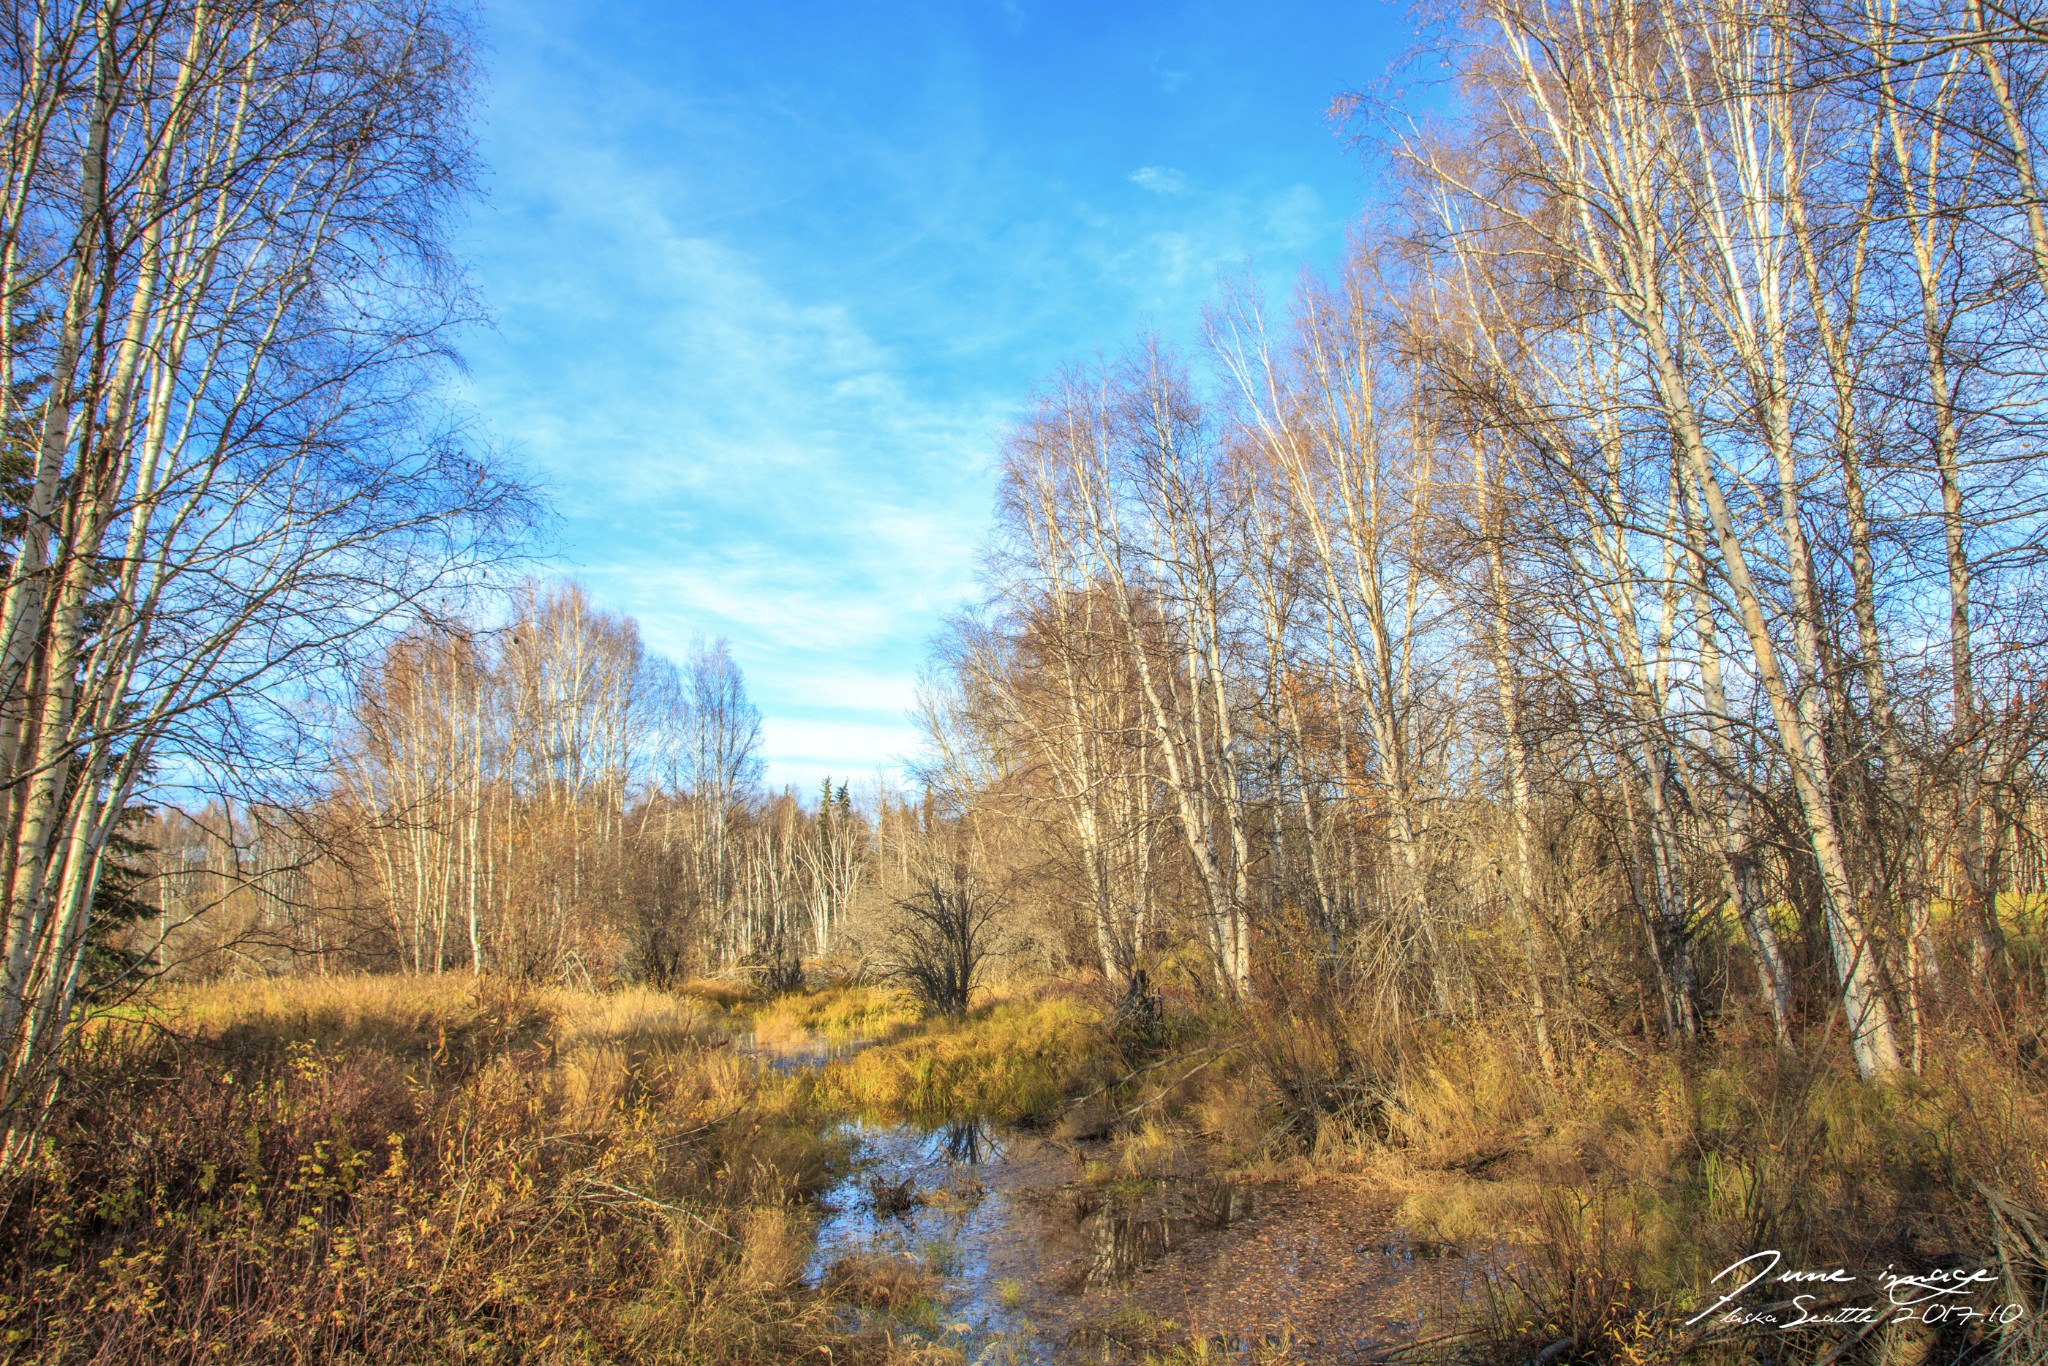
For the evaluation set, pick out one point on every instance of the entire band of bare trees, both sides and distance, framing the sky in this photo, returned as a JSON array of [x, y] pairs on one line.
[[1611, 603]]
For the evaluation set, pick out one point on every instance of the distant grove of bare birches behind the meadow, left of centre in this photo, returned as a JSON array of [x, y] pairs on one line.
[[544, 800]]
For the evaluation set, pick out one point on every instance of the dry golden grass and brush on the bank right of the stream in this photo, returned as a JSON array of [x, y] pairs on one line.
[[1619, 1187]]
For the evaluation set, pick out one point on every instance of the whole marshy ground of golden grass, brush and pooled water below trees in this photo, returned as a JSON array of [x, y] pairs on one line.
[[402, 1168]]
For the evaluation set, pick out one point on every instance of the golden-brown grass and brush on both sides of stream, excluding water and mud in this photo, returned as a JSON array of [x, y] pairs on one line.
[[454, 1170]]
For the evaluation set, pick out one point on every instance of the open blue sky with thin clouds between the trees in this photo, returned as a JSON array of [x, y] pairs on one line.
[[771, 280]]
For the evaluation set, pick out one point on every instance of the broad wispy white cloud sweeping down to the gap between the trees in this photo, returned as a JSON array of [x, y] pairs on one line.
[[730, 460]]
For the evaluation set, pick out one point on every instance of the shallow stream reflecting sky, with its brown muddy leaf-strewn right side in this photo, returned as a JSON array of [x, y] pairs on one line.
[[1029, 1254]]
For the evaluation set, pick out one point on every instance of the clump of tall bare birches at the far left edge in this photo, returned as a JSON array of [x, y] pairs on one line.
[[226, 296]]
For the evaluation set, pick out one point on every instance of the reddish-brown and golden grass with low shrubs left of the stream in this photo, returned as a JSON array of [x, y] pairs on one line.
[[388, 1170]]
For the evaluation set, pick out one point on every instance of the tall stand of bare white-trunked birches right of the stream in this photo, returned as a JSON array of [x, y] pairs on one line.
[[1615, 593]]
